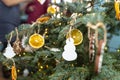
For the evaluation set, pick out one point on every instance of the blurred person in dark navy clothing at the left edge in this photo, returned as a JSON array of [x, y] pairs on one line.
[[9, 18]]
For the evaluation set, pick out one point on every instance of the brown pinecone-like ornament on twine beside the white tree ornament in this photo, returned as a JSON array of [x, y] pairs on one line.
[[17, 45]]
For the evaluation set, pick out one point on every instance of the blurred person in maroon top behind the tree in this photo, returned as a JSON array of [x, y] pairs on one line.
[[35, 9]]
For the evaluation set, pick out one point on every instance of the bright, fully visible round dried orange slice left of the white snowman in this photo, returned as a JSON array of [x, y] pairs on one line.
[[36, 41]]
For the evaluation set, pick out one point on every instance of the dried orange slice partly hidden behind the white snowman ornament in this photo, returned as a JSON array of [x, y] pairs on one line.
[[77, 36]]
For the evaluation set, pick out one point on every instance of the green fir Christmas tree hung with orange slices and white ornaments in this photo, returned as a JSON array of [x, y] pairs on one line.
[[67, 43]]
